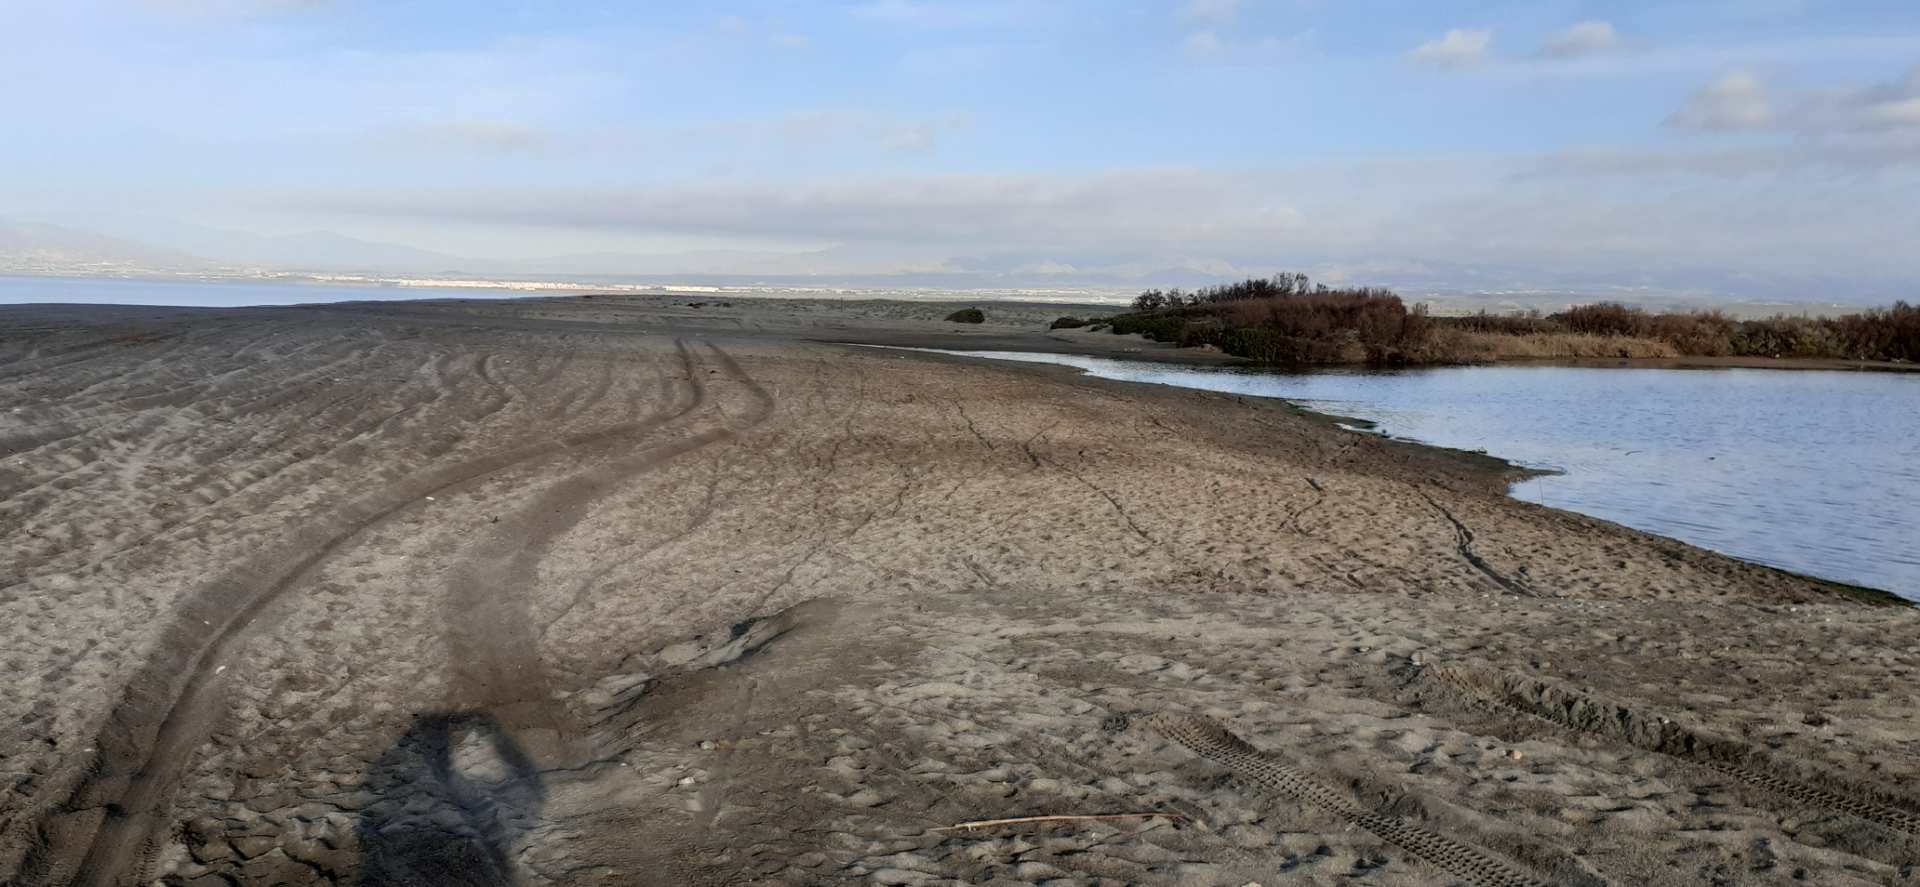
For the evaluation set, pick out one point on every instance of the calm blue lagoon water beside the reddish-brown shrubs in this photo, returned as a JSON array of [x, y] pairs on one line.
[[1810, 471]]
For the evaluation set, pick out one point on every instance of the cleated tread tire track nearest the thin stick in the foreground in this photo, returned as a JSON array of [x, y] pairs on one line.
[[1220, 746]]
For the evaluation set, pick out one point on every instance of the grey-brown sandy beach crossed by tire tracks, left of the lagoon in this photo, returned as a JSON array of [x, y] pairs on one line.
[[690, 592]]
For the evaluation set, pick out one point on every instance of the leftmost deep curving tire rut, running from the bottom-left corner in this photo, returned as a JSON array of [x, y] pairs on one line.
[[101, 832]]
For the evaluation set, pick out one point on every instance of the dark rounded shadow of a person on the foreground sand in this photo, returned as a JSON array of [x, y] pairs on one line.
[[450, 800]]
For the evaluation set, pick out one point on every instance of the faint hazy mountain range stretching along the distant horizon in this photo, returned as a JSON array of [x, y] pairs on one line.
[[199, 251]]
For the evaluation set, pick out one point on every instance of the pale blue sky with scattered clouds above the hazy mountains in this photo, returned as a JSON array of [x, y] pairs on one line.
[[1764, 137]]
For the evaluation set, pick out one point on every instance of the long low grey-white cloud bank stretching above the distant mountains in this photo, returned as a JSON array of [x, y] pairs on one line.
[[1454, 212]]
